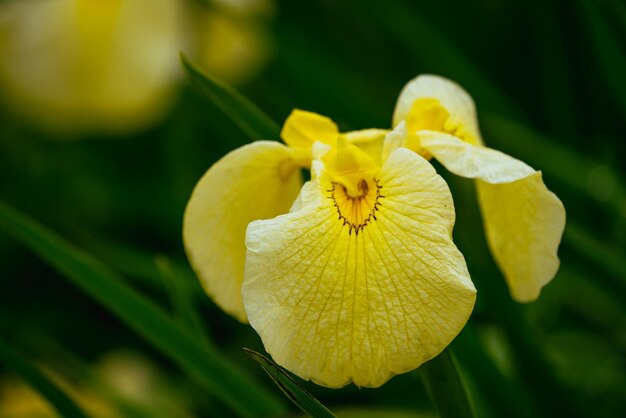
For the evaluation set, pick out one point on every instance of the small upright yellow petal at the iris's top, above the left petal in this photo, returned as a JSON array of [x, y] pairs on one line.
[[302, 129]]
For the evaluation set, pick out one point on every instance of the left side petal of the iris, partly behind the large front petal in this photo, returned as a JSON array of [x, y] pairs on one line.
[[257, 181]]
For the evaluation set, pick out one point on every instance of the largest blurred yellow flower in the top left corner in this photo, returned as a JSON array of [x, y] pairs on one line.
[[78, 65]]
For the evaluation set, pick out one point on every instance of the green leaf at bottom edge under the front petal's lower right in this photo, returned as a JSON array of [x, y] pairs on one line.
[[444, 385]]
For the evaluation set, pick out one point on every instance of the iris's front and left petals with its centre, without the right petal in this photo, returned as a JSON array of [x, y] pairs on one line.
[[353, 278]]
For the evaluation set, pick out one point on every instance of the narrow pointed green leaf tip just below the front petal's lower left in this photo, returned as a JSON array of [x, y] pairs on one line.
[[296, 393]]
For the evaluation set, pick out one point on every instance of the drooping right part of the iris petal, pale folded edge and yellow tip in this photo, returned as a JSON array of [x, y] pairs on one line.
[[523, 220]]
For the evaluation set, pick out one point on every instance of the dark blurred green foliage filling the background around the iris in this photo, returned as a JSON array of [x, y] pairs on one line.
[[548, 81]]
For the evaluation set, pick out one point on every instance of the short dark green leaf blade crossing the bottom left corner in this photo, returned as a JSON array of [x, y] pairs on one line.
[[38, 381]]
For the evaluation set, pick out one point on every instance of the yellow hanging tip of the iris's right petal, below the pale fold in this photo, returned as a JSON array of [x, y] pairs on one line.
[[524, 223]]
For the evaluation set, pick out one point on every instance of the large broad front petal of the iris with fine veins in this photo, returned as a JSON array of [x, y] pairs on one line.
[[335, 302]]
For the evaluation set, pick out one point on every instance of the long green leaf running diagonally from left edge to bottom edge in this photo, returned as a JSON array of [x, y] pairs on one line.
[[209, 368]]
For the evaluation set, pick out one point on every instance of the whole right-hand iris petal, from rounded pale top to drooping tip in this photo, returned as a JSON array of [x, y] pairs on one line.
[[523, 220]]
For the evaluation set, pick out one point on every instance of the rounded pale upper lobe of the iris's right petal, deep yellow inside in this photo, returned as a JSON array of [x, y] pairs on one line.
[[442, 105]]
